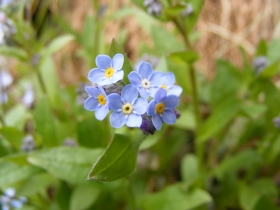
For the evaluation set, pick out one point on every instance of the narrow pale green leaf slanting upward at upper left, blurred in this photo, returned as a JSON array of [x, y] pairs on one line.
[[56, 44]]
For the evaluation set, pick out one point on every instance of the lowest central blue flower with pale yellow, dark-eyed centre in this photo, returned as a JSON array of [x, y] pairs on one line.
[[127, 108]]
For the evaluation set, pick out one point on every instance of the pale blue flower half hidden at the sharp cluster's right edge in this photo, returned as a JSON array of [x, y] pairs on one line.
[[169, 86]]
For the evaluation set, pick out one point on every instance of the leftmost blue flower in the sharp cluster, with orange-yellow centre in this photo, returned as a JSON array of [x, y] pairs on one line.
[[97, 101]]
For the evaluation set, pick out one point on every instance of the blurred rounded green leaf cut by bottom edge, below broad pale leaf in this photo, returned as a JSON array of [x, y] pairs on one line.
[[83, 196]]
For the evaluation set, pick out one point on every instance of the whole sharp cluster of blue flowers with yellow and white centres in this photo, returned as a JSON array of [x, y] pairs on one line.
[[156, 104]]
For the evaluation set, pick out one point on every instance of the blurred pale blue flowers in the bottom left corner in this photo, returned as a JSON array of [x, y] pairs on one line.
[[8, 199]]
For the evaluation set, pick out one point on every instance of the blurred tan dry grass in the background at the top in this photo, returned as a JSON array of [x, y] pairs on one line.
[[224, 26]]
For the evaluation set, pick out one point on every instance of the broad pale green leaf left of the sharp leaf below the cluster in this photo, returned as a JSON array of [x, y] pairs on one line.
[[68, 163]]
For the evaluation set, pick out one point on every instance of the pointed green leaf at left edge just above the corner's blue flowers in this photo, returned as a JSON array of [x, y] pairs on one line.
[[11, 173]]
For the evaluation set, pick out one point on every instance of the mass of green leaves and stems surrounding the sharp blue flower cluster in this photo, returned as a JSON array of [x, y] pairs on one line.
[[222, 153]]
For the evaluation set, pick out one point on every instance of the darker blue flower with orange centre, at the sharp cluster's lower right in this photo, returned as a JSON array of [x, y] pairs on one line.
[[161, 108]]
